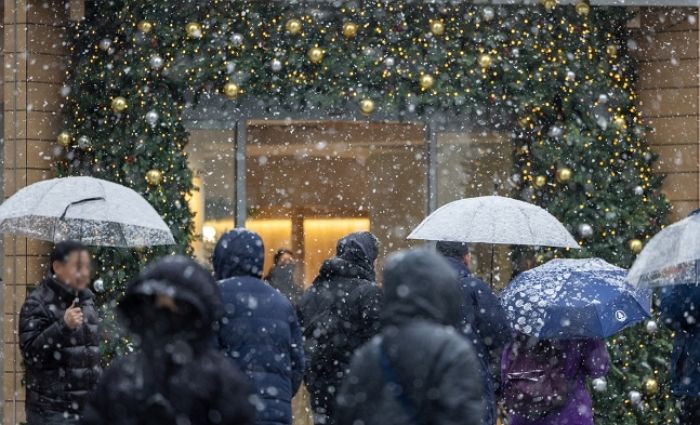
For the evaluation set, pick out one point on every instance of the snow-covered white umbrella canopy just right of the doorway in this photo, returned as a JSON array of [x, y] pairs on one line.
[[494, 220]]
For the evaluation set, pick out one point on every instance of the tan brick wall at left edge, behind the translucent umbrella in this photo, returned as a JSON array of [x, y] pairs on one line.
[[34, 58]]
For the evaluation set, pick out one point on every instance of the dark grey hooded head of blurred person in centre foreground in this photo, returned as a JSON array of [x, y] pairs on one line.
[[420, 285]]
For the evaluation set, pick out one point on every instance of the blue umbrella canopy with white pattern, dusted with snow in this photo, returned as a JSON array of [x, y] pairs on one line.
[[574, 299]]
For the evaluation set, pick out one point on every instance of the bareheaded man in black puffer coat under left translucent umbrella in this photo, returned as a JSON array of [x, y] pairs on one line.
[[59, 340]]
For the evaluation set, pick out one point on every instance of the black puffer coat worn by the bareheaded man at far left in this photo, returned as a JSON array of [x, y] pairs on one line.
[[62, 365]]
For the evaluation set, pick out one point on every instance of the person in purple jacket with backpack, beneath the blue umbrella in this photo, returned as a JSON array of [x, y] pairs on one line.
[[544, 381]]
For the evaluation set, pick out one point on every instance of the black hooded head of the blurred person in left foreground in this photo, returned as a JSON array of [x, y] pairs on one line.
[[174, 298]]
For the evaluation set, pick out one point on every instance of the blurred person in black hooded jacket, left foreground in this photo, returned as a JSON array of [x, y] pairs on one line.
[[177, 376]]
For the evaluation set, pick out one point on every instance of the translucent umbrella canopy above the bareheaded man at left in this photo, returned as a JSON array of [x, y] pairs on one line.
[[94, 211]]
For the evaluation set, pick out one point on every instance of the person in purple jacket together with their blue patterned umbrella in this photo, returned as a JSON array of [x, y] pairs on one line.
[[562, 311]]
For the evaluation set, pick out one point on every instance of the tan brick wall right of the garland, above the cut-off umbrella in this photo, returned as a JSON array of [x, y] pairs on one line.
[[667, 41]]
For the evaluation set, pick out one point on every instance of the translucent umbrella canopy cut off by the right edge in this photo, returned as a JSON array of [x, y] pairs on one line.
[[671, 256]]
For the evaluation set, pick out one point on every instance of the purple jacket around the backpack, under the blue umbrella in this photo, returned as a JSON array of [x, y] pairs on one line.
[[582, 359]]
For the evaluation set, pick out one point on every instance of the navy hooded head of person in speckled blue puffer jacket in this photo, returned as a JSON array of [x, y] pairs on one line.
[[239, 252]]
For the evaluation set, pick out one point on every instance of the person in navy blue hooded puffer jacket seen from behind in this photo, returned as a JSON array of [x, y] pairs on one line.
[[260, 332]]
